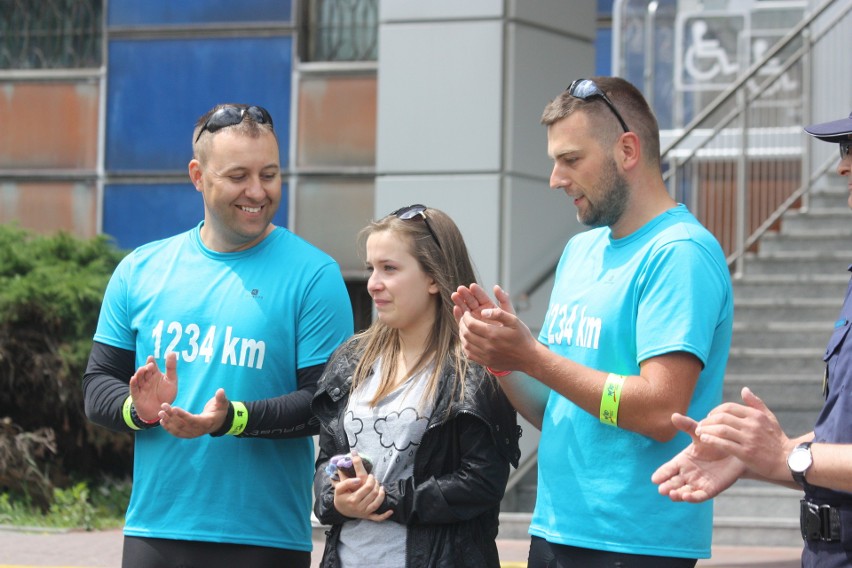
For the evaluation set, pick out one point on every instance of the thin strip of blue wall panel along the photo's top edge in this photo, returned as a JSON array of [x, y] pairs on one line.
[[151, 12]]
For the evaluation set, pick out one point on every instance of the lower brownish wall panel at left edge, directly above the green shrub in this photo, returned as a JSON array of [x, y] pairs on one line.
[[48, 207]]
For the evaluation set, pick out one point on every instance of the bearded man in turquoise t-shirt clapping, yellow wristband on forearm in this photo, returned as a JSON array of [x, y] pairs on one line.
[[638, 327]]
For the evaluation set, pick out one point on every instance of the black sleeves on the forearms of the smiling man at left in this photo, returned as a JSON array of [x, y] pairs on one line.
[[105, 388]]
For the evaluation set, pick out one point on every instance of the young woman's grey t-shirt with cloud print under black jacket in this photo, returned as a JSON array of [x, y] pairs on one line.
[[389, 434]]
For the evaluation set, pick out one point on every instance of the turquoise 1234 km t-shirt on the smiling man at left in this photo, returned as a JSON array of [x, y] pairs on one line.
[[244, 321]]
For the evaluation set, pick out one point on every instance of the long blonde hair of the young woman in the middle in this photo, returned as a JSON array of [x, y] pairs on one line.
[[449, 265]]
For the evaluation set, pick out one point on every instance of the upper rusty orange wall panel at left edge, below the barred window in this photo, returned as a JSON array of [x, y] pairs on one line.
[[49, 125]]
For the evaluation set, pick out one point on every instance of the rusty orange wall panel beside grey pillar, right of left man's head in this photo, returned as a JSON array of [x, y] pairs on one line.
[[337, 121]]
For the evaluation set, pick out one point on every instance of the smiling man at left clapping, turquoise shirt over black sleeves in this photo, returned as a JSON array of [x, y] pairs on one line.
[[208, 348]]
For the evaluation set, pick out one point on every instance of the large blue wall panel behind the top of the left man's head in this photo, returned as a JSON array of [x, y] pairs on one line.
[[157, 89]]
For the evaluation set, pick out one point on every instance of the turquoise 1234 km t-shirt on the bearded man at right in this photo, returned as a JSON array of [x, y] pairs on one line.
[[615, 303]]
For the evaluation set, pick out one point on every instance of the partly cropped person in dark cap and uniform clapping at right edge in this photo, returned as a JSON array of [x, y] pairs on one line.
[[745, 440]]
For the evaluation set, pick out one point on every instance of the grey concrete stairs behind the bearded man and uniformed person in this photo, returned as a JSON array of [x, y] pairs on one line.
[[786, 303]]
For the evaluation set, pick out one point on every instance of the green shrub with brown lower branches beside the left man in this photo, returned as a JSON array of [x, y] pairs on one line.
[[51, 289]]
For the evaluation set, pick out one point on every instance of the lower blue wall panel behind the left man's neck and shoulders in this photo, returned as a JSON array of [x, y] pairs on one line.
[[138, 214]]
